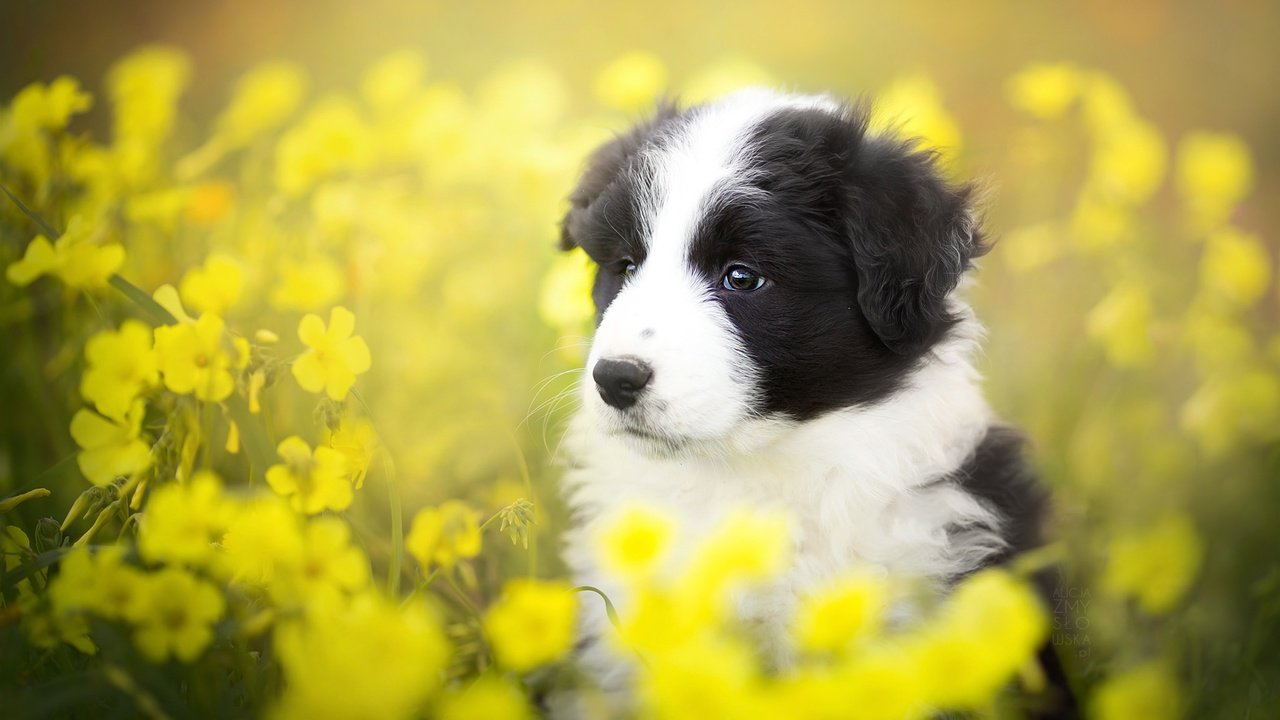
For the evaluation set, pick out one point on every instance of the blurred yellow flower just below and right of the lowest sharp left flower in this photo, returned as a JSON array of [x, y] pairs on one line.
[[182, 522]]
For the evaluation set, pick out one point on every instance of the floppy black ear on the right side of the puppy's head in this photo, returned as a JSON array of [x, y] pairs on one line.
[[913, 238]]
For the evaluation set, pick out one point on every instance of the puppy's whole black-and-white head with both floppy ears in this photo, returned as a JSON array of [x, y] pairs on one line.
[[762, 261]]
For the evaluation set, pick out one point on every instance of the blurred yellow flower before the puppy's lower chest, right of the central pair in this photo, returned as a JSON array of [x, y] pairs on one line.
[[840, 614]]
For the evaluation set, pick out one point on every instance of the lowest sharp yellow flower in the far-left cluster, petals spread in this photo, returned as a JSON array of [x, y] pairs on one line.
[[111, 448]]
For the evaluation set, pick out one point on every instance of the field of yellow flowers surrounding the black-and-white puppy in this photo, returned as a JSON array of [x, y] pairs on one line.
[[282, 391]]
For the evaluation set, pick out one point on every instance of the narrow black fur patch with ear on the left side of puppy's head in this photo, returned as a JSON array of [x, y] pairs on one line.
[[605, 216]]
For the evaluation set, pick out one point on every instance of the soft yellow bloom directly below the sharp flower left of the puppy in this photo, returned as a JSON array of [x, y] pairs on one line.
[[328, 566]]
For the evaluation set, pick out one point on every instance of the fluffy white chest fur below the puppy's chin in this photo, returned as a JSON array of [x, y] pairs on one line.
[[865, 486]]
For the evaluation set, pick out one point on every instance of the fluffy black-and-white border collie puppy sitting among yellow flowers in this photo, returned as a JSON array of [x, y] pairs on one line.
[[779, 327]]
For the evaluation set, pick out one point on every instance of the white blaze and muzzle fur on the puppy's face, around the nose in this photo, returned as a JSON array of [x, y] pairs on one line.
[[703, 386]]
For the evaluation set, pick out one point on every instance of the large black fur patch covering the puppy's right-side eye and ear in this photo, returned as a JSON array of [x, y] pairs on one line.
[[861, 240]]
